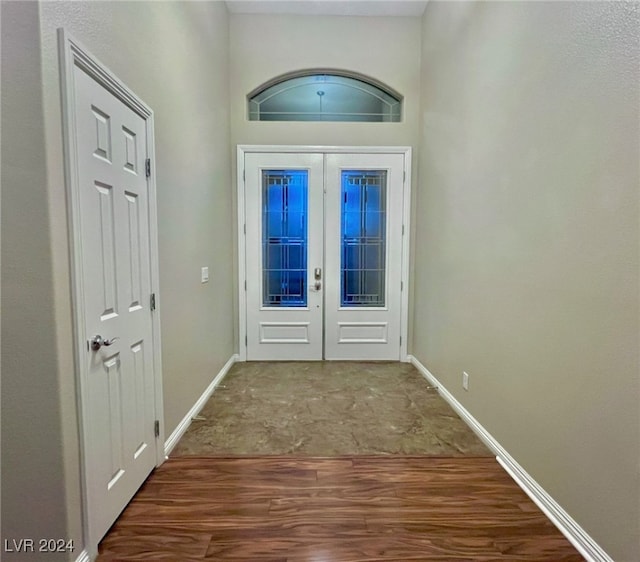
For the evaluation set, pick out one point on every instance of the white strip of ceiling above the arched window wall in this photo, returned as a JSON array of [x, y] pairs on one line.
[[329, 7]]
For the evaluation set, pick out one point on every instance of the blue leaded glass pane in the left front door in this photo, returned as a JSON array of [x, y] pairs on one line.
[[284, 238]]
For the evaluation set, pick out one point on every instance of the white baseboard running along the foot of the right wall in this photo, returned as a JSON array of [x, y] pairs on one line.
[[578, 537]]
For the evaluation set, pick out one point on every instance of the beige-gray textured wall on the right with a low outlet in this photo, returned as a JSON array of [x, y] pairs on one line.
[[526, 266]]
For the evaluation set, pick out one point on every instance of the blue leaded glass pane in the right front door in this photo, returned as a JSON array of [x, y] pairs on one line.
[[362, 236]]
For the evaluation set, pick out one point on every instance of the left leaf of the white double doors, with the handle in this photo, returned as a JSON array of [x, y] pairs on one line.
[[283, 241]]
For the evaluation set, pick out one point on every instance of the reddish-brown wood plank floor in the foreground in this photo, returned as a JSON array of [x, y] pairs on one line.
[[347, 509]]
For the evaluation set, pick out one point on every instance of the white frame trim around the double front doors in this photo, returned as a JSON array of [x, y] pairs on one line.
[[406, 216]]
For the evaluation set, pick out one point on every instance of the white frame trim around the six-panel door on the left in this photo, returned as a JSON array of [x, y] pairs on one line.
[[71, 54]]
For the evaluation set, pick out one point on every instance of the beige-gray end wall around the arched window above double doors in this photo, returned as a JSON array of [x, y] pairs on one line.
[[387, 49]]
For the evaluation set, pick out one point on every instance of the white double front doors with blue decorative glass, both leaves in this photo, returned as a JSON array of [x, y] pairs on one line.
[[323, 249]]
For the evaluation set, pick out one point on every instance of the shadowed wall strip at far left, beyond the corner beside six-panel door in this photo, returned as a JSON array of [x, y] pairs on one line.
[[33, 480]]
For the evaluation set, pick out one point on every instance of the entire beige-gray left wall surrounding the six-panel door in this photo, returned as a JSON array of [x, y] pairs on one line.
[[174, 55]]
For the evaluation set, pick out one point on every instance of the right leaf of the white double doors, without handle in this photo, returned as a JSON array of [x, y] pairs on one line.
[[363, 256]]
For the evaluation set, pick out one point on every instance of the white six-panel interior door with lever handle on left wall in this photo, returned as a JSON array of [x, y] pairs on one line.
[[110, 143]]
